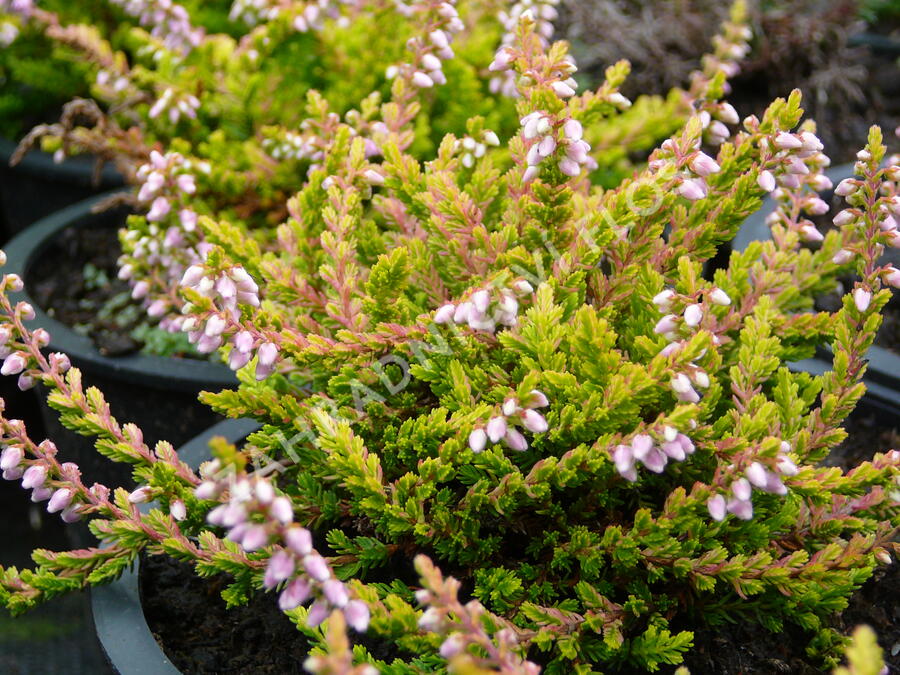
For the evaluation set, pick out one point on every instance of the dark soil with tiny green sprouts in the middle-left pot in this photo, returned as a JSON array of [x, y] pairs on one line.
[[75, 281]]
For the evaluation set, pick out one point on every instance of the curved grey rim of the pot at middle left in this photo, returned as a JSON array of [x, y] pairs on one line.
[[158, 371]]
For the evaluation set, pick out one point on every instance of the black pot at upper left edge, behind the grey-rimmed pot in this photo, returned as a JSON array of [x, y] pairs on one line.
[[38, 186]]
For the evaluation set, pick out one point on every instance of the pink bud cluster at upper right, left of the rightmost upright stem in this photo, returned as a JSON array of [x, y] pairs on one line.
[[794, 175]]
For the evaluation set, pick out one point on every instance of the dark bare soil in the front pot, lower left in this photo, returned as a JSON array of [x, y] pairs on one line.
[[187, 616]]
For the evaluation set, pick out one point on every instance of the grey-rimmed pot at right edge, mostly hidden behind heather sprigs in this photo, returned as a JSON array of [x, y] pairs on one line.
[[882, 378]]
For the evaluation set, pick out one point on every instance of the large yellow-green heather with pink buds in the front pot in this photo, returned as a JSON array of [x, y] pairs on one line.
[[523, 384]]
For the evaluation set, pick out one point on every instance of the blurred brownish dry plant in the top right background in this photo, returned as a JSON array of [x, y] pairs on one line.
[[811, 45]]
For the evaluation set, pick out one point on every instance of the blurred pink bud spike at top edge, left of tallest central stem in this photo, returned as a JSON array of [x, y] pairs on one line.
[[426, 68]]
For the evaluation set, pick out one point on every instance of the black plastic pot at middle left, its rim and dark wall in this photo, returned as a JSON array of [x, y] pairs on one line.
[[158, 394]]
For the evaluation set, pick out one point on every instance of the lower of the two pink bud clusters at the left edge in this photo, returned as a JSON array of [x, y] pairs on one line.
[[35, 476]]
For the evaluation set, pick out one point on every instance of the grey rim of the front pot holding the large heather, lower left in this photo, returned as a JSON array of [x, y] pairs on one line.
[[129, 645]]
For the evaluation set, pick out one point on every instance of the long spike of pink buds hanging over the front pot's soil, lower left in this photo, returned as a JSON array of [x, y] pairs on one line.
[[256, 518]]
